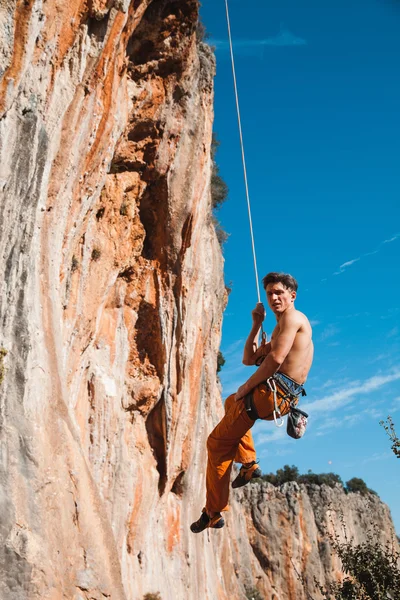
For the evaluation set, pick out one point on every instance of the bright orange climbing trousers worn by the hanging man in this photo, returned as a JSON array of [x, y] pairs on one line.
[[232, 441]]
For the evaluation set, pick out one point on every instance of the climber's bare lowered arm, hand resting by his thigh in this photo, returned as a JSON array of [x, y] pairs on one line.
[[280, 348]]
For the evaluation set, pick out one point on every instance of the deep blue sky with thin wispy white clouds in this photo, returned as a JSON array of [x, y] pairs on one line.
[[319, 89]]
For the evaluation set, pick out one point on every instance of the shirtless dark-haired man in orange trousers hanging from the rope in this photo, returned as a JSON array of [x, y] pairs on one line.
[[286, 361]]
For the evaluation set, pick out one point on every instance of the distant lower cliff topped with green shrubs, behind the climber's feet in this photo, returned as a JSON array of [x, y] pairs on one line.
[[287, 530]]
